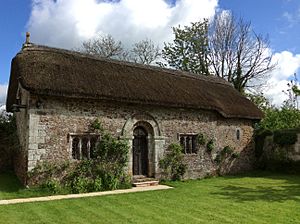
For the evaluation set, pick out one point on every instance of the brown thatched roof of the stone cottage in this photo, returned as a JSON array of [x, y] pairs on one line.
[[57, 72]]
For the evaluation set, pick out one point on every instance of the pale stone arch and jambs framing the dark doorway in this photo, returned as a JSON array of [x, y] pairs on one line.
[[156, 141]]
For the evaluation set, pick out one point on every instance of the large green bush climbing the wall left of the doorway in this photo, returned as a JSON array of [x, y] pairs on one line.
[[105, 171]]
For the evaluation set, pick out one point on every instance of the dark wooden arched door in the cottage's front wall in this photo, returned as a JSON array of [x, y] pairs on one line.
[[140, 151]]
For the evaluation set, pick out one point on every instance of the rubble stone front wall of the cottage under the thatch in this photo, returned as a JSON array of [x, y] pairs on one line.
[[49, 126]]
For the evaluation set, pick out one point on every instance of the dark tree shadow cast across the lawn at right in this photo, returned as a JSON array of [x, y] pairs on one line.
[[268, 188]]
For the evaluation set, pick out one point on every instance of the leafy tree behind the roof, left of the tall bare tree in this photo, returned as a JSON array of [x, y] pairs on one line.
[[189, 49]]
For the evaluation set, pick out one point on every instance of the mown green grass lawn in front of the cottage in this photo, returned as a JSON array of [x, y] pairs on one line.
[[255, 198]]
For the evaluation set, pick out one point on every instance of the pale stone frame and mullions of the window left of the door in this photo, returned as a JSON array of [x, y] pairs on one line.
[[81, 136]]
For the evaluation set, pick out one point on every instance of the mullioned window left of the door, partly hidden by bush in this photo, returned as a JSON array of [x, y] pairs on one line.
[[82, 145]]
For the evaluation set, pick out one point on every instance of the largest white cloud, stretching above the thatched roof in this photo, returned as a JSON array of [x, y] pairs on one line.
[[66, 23]]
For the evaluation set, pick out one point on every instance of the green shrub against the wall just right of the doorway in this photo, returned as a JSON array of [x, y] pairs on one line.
[[172, 164]]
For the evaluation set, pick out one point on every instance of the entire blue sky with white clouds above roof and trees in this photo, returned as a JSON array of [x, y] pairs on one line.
[[66, 23]]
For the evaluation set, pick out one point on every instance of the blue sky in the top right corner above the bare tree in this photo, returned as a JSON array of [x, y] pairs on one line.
[[280, 19]]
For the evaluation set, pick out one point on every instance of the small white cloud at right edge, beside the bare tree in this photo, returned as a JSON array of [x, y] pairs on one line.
[[287, 65]]
